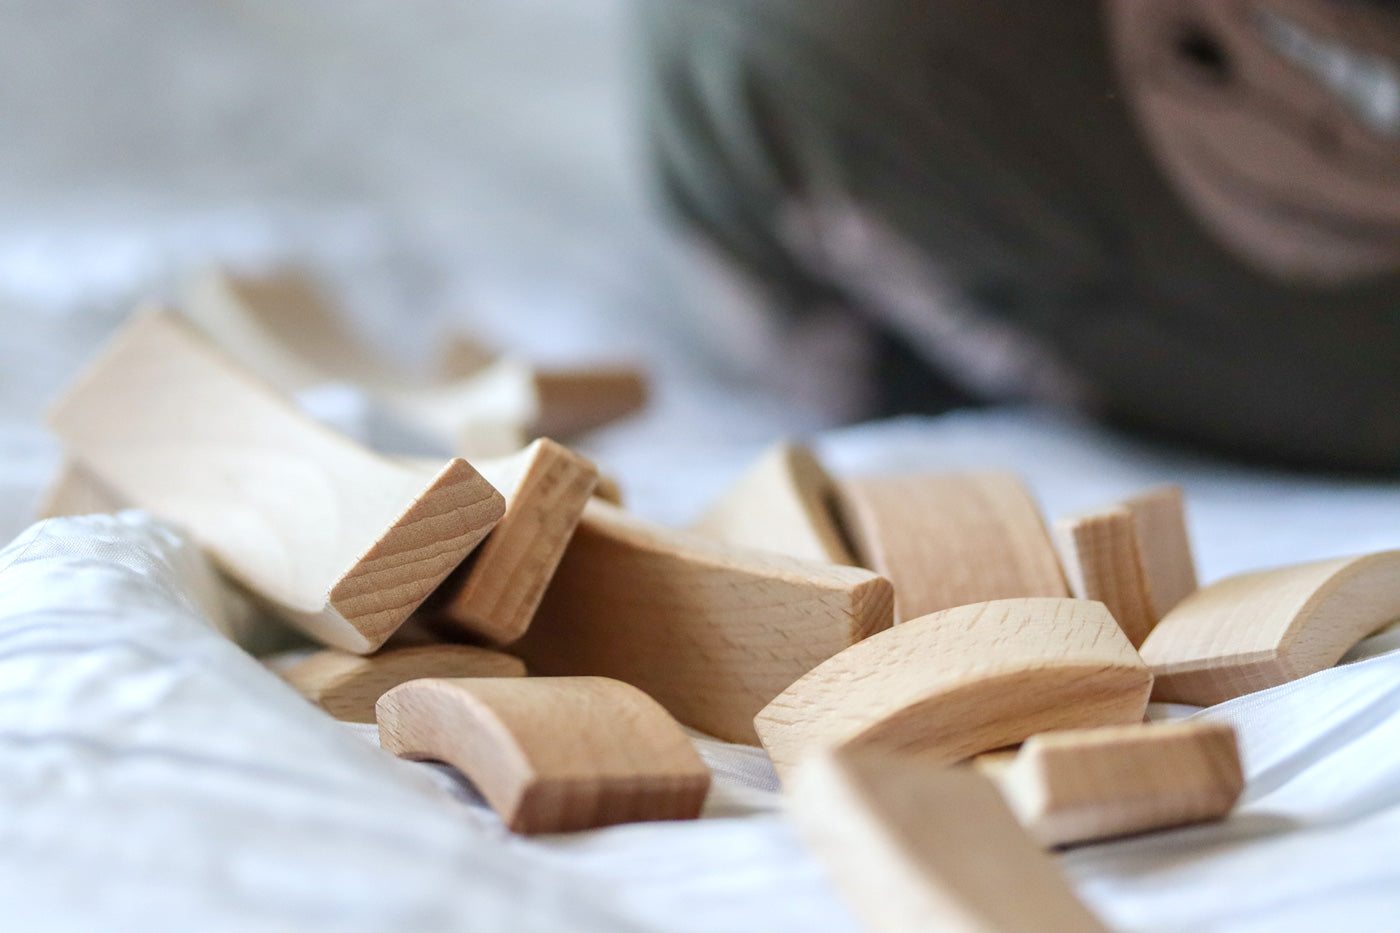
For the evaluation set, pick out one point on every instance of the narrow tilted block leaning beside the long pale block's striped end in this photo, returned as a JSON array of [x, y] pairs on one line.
[[498, 590]]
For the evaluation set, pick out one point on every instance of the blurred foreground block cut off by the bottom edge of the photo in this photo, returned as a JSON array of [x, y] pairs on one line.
[[915, 847]]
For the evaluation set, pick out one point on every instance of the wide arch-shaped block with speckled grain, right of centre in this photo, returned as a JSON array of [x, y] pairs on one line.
[[964, 682]]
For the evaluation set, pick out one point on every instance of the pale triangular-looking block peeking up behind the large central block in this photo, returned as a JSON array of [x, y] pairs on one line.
[[783, 504]]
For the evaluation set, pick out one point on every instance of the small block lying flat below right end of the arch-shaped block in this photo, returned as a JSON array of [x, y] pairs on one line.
[[1097, 784]]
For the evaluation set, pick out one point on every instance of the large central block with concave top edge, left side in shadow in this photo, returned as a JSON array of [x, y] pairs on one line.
[[713, 633]]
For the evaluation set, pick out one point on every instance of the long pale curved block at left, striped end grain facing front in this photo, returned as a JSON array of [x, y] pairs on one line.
[[339, 541]]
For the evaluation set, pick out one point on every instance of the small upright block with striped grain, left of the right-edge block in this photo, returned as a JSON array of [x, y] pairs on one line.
[[1133, 557]]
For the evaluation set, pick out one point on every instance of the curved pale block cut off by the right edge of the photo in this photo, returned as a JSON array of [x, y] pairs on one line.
[[1262, 630]]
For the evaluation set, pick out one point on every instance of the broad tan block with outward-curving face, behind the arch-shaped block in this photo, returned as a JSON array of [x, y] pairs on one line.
[[951, 540]]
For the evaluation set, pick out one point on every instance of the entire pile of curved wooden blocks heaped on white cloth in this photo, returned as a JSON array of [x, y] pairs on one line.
[[891, 641]]
